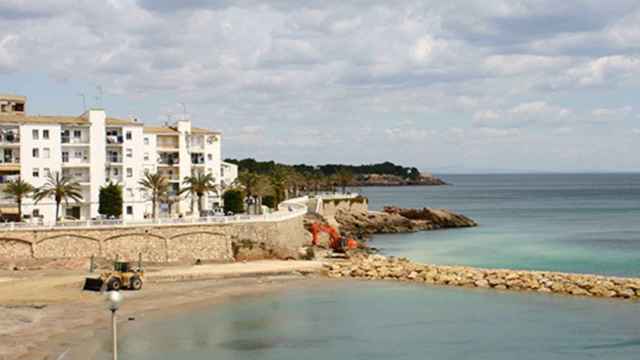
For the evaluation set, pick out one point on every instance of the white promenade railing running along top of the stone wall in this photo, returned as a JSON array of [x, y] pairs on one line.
[[287, 210]]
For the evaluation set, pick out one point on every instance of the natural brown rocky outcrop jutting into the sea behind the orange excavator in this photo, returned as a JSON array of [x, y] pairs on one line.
[[399, 220]]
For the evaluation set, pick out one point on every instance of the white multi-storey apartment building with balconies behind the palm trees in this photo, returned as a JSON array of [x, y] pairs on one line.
[[95, 149]]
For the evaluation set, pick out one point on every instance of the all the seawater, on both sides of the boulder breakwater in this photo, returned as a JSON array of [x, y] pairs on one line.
[[587, 223]]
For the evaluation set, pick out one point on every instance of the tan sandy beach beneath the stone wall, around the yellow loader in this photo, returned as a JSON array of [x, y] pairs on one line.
[[45, 315]]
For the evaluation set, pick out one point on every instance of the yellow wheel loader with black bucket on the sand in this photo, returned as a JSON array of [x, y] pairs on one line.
[[123, 276]]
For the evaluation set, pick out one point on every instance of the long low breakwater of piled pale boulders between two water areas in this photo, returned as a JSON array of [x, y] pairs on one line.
[[377, 267]]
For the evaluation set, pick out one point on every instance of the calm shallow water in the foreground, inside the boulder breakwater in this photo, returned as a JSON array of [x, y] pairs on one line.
[[384, 320]]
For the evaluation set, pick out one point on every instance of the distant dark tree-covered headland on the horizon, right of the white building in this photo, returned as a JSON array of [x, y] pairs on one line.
[[382, 174]]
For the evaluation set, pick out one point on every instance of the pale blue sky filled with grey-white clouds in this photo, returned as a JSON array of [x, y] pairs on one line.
[[447, 86]]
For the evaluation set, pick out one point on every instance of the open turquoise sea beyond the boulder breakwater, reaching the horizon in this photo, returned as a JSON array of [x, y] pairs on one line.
[[574, 223]]
